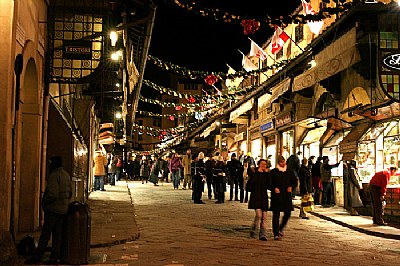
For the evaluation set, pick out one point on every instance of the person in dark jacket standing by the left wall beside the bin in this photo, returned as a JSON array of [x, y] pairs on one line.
[[55, 202]]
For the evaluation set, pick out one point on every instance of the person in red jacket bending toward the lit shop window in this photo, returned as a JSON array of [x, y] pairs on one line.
[[377, 187]]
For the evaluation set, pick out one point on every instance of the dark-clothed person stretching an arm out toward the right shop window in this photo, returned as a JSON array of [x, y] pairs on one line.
[[326, 178]]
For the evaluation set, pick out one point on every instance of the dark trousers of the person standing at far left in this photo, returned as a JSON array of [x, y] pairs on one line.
[[52, 227]]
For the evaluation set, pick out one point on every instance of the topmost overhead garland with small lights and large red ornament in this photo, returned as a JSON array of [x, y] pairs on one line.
[[251, 25]]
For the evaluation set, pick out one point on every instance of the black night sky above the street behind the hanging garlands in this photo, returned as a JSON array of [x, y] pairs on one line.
[[201, 43]]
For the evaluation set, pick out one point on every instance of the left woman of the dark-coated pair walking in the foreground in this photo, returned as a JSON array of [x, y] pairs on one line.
[[258, 185]]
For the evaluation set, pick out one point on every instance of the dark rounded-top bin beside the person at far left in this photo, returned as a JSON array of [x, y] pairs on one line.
[[76, 234]]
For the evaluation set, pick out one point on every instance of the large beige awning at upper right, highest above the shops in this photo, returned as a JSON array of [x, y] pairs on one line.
[[338, 56]]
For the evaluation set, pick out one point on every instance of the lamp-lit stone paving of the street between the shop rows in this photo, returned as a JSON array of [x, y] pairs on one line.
[[174, 231]]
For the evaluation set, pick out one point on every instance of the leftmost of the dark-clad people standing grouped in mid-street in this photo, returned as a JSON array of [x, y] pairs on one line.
[[198, 174]]
